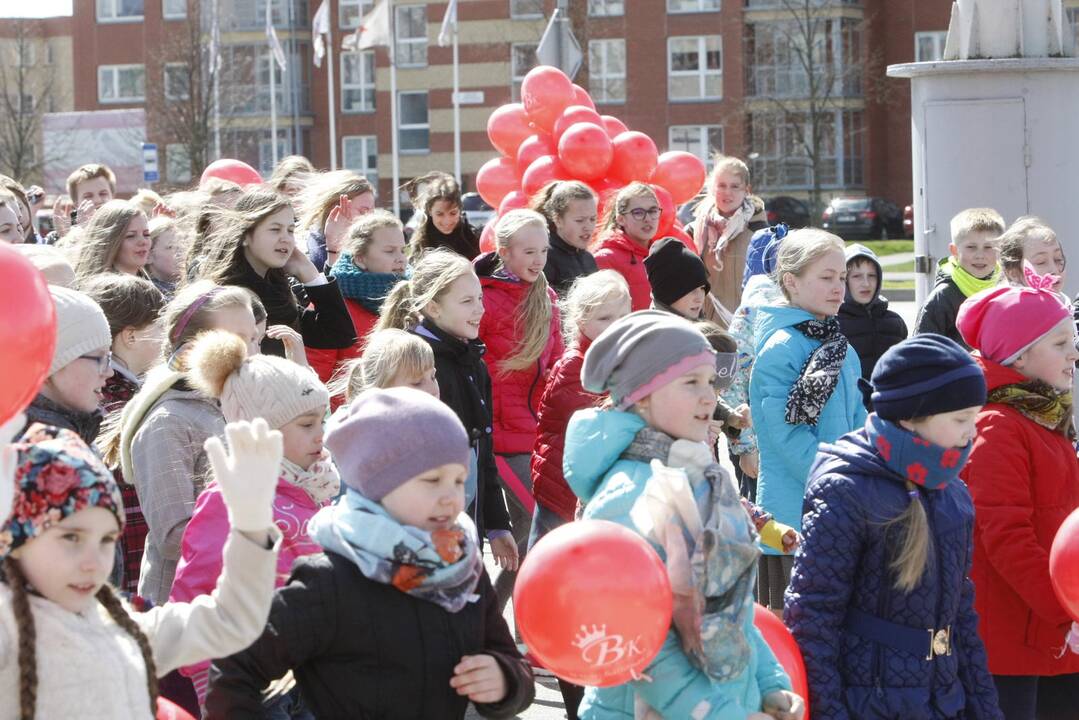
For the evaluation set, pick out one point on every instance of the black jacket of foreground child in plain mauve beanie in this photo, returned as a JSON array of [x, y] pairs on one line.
[[364, 650]]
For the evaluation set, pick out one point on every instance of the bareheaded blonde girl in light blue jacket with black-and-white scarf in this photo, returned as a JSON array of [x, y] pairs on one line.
[[804, 388]]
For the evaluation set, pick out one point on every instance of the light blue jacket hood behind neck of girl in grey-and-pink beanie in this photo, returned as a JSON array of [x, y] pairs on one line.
[[595, 440]]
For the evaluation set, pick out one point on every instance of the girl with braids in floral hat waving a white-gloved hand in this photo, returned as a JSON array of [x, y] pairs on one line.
[[69, 645]]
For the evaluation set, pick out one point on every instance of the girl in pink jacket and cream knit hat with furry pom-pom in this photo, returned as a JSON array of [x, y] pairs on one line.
[[291, 400]]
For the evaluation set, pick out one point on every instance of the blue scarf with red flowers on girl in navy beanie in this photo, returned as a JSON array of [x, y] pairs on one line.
[[913, 458]]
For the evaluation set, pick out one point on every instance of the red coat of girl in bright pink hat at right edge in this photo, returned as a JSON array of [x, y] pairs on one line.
[[1025, 480]]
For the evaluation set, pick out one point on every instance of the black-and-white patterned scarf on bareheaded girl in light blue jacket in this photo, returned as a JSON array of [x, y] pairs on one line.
[[821, 375]]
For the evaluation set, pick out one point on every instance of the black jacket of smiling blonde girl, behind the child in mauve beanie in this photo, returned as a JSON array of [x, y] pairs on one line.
[[466, 386]]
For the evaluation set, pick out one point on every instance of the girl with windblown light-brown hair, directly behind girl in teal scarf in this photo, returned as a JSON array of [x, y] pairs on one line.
[[350, 194]]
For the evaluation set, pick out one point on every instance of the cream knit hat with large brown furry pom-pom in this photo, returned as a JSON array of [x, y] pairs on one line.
[[266, 387]]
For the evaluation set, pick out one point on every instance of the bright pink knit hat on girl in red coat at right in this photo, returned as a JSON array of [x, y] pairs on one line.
[[1004, 322]]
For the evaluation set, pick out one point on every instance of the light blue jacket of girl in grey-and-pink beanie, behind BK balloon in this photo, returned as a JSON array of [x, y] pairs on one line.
[[609, 487]]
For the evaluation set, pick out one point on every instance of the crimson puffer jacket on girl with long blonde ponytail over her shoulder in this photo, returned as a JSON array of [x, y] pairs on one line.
[[515, 398]]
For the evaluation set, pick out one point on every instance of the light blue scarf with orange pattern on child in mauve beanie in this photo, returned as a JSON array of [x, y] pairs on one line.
[[443, 567]]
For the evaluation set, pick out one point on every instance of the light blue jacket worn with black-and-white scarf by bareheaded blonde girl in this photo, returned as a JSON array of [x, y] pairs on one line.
[[788, 452]]
